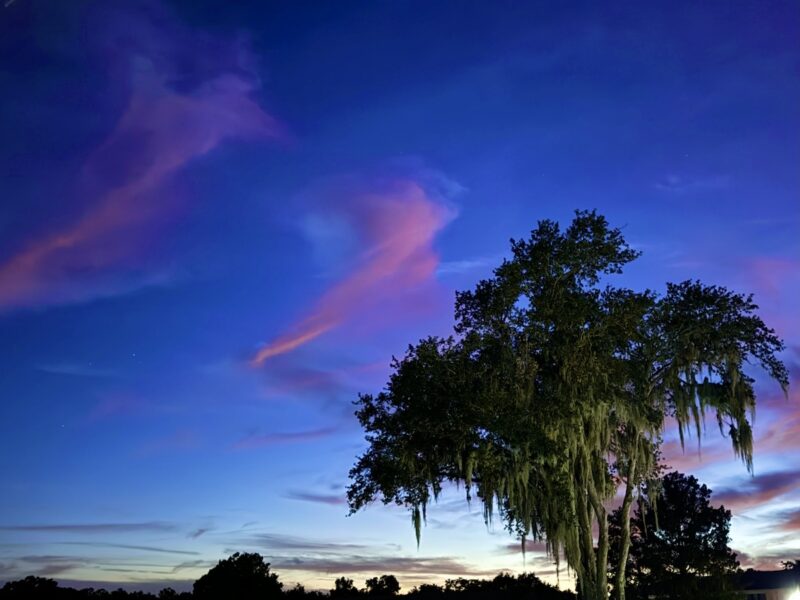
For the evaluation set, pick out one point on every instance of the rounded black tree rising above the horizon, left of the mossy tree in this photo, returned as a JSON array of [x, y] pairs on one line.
[[241, 577]]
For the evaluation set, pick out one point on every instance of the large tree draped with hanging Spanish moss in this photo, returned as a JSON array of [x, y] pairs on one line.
[[550, 373]]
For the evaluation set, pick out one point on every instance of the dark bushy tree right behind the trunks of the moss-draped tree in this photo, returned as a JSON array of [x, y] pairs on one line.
[[679, 542]]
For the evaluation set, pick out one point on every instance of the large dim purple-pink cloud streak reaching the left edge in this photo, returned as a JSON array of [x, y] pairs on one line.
[[182, 103]]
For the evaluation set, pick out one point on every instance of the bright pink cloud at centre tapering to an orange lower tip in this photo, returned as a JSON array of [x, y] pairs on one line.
[[396, 224]]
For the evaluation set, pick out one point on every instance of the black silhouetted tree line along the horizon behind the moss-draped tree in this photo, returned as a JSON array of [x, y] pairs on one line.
[[679, 550]]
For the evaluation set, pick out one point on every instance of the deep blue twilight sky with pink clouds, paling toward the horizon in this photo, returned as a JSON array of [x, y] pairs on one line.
[[220, 221]]
